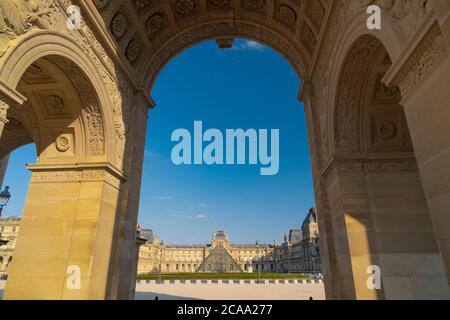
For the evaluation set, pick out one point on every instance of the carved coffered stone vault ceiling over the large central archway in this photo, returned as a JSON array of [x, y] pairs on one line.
[[142, 28]]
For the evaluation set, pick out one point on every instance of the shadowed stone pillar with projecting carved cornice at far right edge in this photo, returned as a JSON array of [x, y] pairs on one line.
[[423, 77]]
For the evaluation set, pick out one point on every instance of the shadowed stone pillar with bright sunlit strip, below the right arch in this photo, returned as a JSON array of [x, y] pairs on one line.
[[380, 218]]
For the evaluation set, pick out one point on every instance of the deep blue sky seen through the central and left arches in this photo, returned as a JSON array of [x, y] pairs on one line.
[[249, 86]]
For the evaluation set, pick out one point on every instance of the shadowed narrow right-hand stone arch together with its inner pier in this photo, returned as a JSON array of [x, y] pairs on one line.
[[379, 214]]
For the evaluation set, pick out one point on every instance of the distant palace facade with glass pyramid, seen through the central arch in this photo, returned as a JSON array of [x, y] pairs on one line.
[[298, 254]]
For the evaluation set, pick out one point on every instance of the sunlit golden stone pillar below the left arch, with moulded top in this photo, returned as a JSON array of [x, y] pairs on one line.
[[67, 233]]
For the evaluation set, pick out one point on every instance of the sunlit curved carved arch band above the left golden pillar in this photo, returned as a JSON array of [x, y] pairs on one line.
[[62, 54]]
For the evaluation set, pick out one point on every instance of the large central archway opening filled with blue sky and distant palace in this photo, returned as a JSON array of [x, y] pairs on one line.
[[247, 86]]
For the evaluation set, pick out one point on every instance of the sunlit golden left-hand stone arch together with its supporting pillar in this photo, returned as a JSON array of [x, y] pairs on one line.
[[67, 112]]
